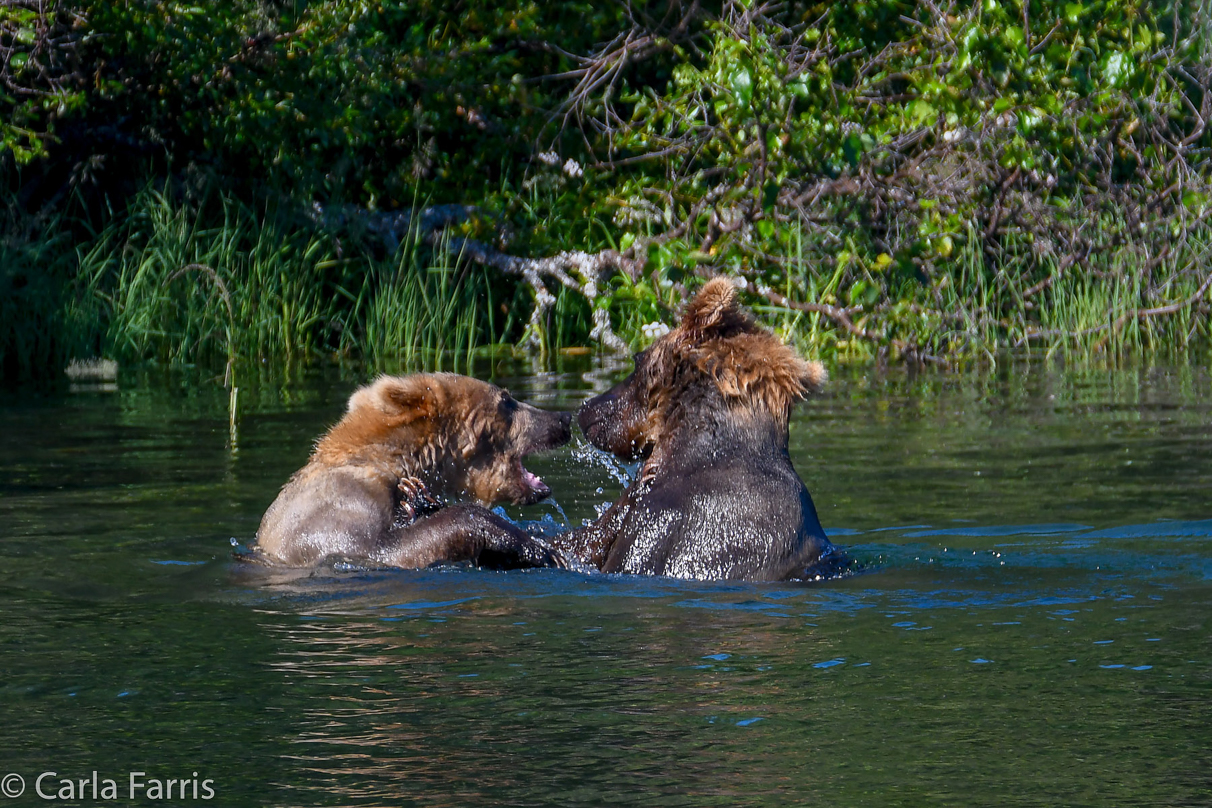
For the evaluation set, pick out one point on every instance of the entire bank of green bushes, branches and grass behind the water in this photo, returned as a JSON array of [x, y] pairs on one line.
[[273, 180]]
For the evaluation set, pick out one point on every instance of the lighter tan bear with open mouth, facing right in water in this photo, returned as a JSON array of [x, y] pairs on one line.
[[368, 489]]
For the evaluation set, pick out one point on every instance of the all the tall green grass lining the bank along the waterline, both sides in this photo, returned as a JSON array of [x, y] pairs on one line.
[[224, 284]]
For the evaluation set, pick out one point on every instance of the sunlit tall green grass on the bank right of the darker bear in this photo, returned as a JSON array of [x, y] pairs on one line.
[[984, 306]]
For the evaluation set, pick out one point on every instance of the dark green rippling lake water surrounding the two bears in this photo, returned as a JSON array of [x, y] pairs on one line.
[[1032, 629]]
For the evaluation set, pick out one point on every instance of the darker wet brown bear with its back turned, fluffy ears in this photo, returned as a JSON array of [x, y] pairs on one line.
[[707, 410]]
